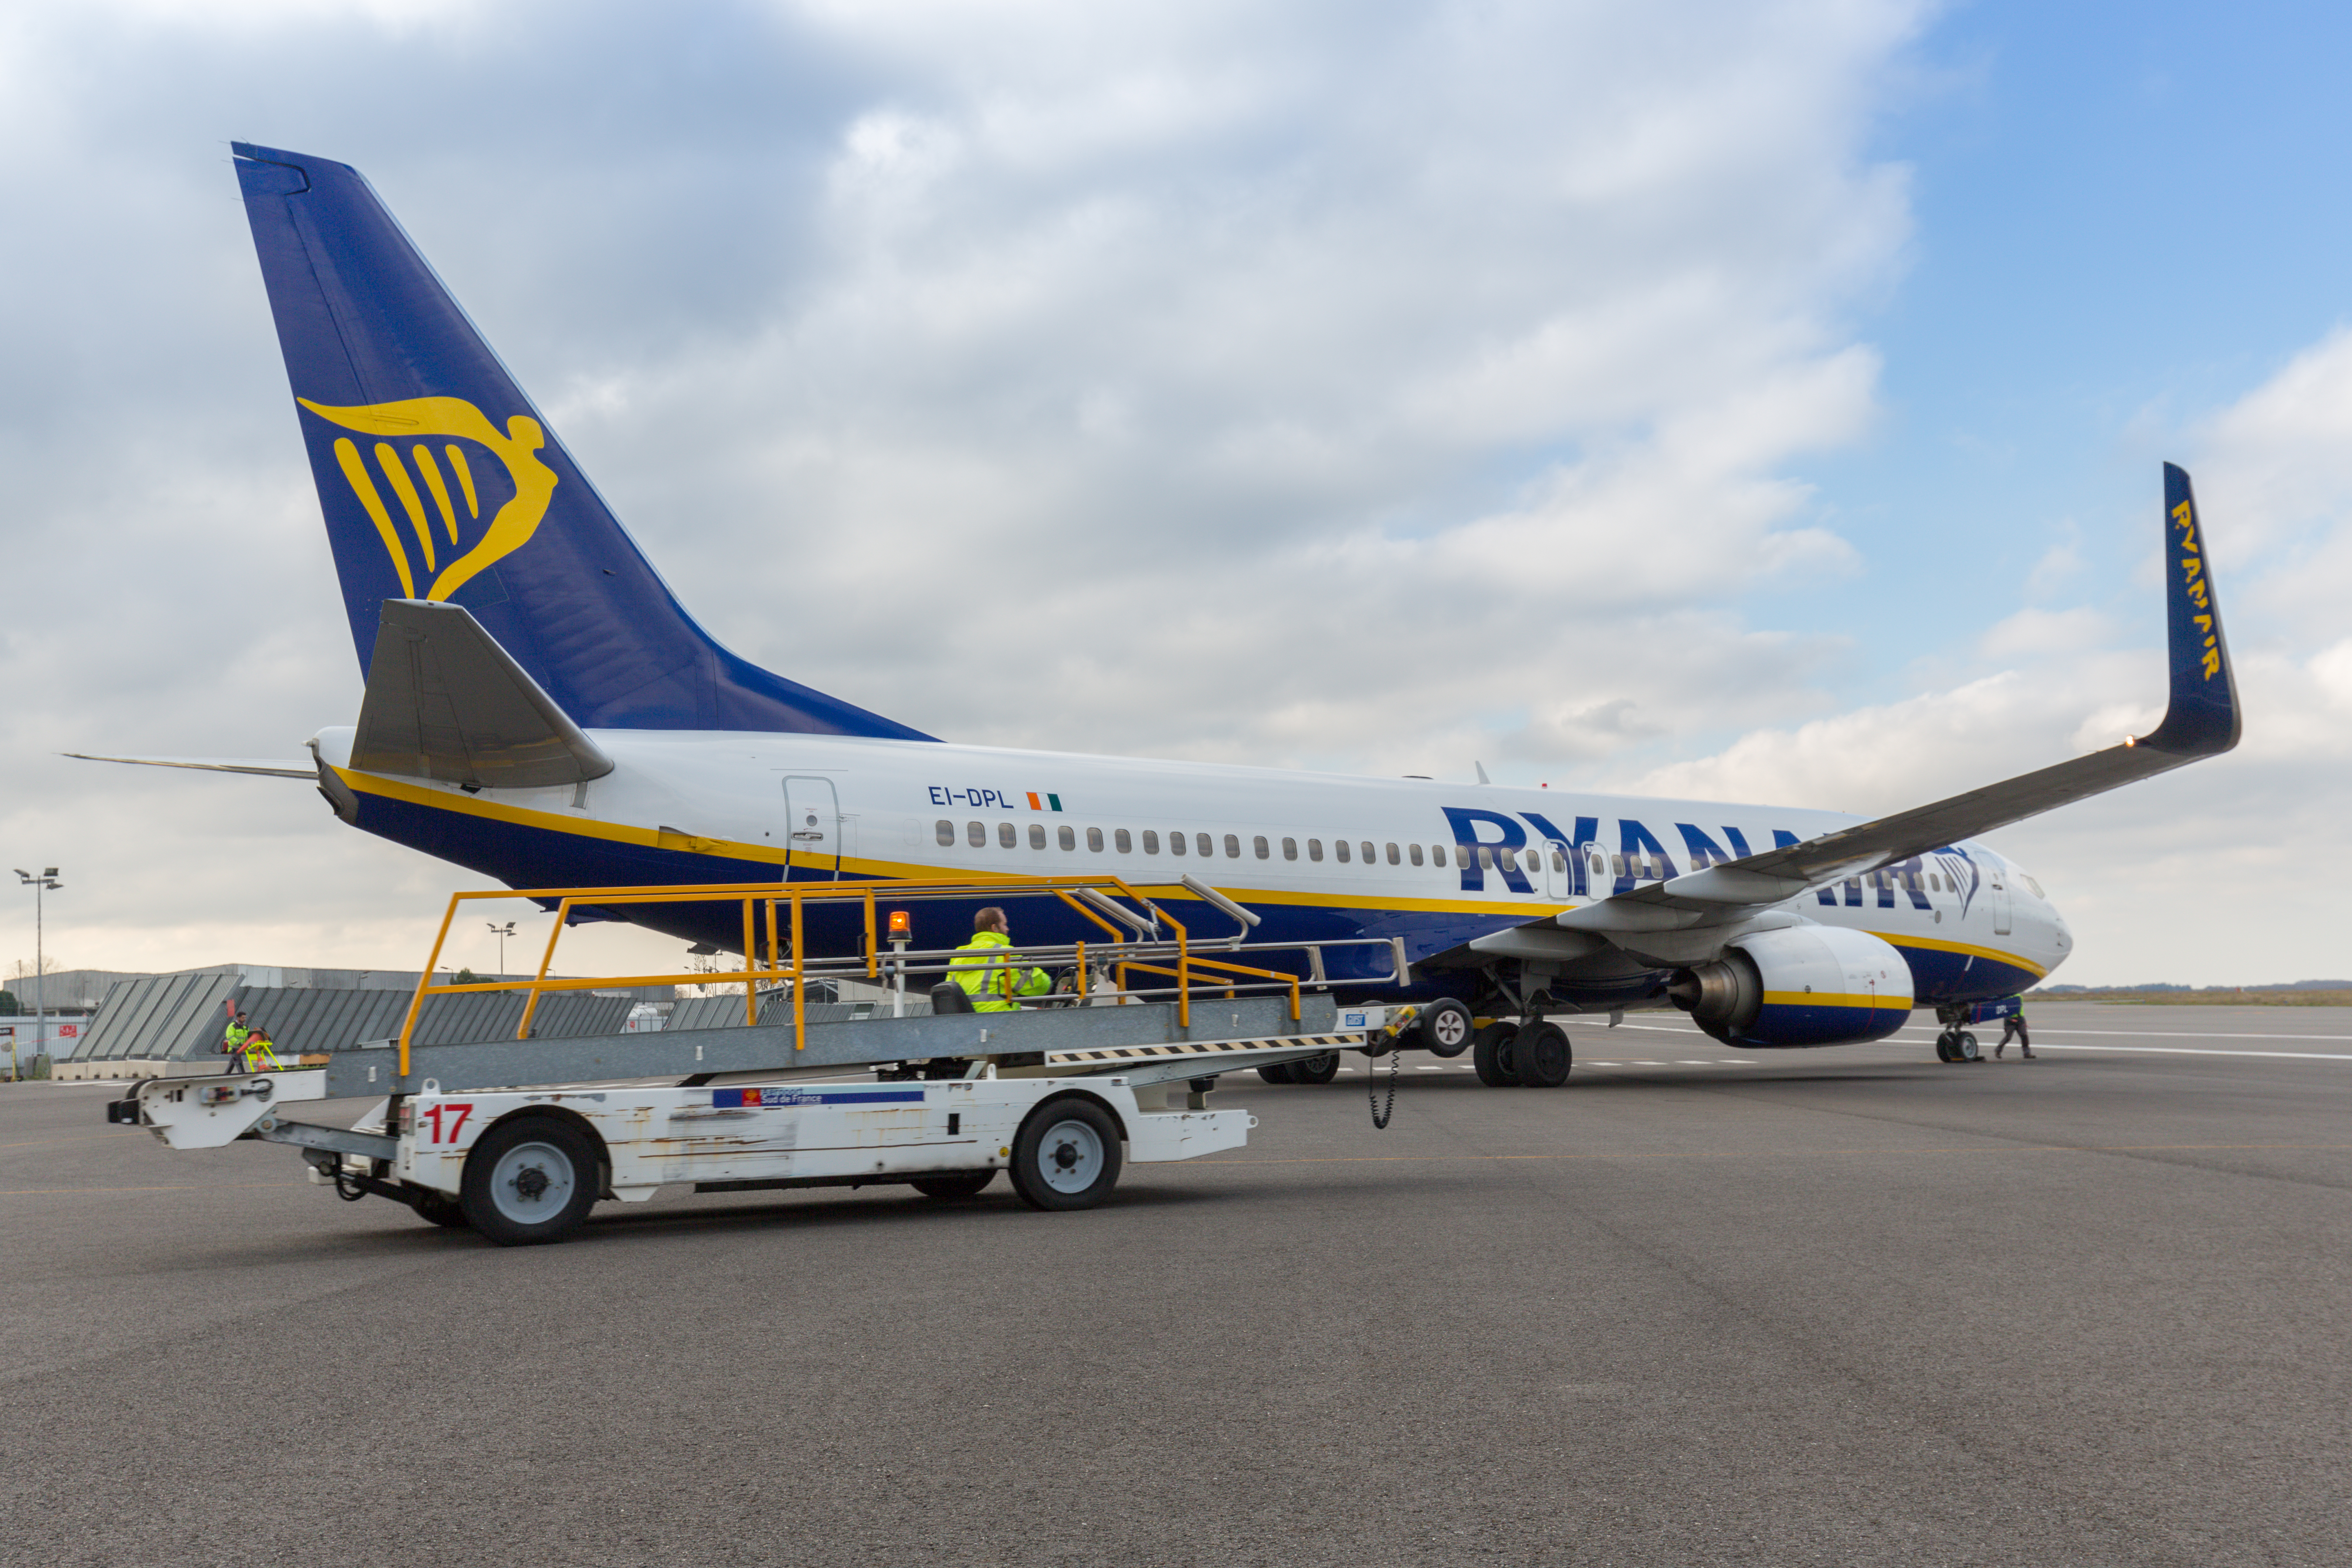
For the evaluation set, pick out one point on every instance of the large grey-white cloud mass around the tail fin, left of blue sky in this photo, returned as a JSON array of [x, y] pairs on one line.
[[1189, 380]]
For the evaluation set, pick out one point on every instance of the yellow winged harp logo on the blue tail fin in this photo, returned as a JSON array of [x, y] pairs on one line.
[[415, 424]]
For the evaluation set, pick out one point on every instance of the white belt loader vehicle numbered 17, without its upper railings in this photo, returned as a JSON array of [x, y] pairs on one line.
[[521, 1139]]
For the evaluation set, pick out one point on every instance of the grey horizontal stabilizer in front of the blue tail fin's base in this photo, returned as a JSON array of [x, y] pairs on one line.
[[446, 702]]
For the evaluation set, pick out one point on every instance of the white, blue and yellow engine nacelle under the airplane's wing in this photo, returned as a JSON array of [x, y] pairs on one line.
[[1798, 986]]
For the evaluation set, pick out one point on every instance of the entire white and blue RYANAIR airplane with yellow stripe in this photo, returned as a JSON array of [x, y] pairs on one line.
[[540, 709]]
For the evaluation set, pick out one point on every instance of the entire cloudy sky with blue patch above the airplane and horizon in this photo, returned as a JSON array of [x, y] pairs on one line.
[[1720, 398]]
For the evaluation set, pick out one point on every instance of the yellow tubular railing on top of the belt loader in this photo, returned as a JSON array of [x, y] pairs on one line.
[[787, 951]]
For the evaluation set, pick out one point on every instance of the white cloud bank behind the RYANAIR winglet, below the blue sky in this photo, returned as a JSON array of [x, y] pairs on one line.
[[2219, 873]]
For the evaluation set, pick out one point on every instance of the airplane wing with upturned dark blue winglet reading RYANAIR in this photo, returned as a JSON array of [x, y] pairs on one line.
[[2203, 721]]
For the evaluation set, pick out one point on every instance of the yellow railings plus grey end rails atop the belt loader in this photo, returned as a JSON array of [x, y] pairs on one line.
[[1097, 899]]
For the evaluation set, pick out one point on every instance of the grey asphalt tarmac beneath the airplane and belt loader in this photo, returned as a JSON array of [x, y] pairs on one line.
[[1695, 1308]]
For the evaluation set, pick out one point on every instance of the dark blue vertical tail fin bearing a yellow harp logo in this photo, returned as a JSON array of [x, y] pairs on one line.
[[443, 483]]
